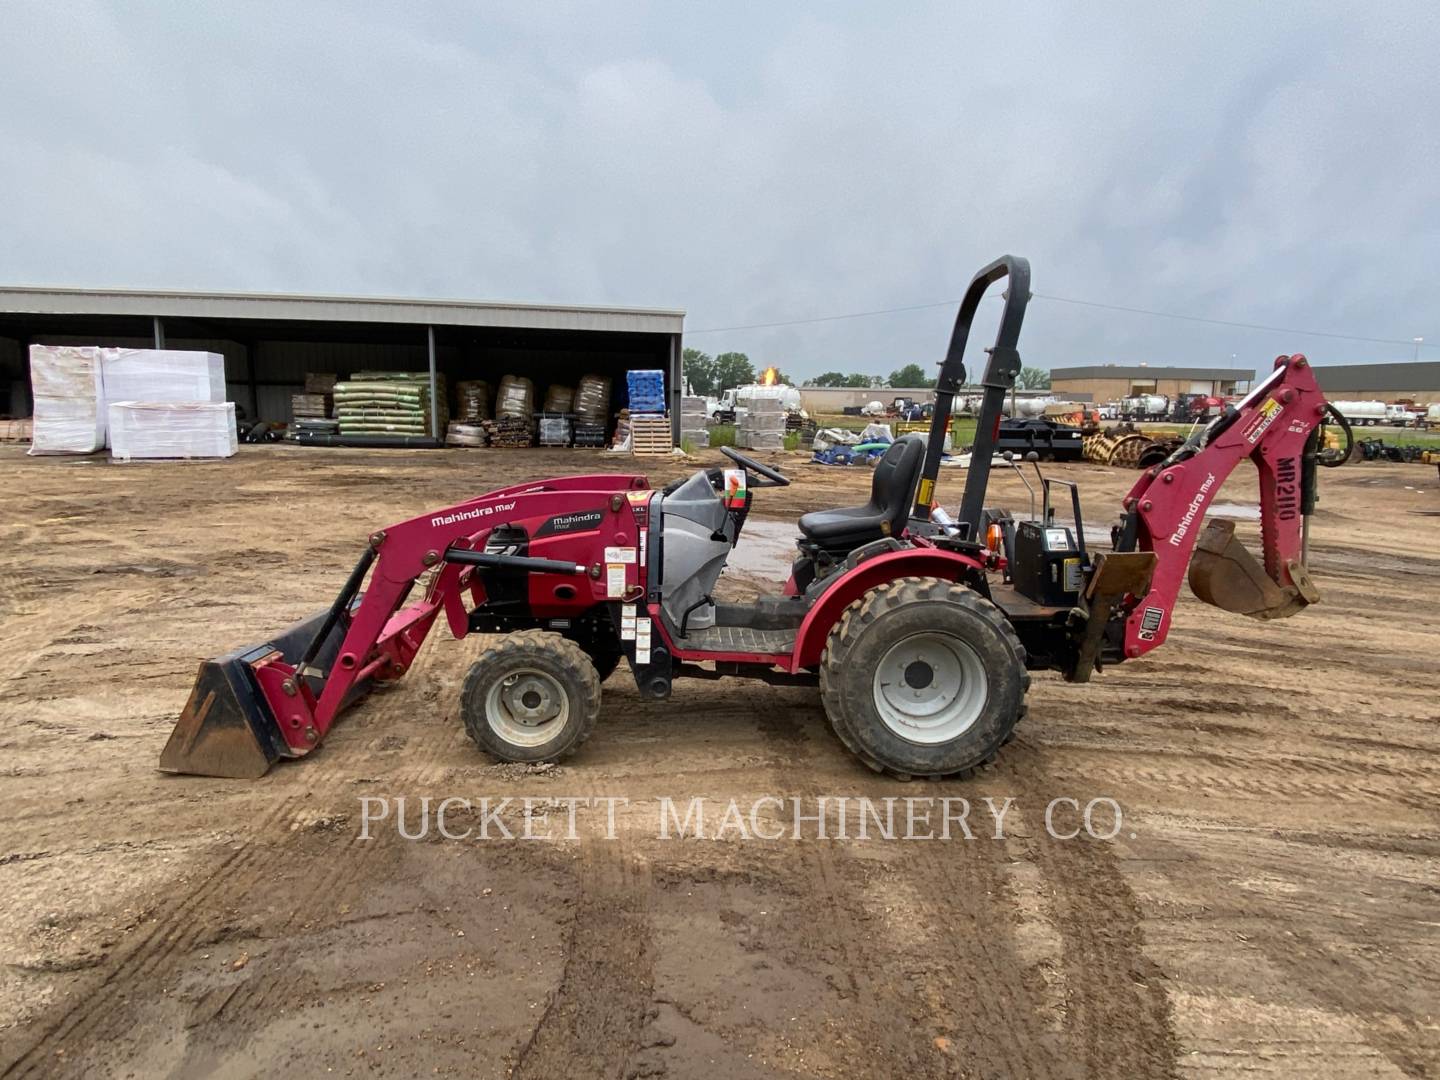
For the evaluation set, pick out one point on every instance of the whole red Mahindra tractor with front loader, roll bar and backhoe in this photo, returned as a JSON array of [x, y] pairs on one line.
[[919, 629]]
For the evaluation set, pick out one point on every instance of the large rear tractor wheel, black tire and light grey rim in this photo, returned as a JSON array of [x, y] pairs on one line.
[[924, 678]]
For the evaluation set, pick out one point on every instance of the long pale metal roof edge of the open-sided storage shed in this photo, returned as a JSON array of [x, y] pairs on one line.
[[279, 307]]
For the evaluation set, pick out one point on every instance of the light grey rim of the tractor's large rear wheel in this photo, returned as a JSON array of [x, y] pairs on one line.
[[931, 688]]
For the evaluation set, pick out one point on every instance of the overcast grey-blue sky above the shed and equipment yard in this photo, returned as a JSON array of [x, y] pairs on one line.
[[752, 163]]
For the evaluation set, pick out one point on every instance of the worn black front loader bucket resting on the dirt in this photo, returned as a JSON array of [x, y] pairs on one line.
[[227, 728]]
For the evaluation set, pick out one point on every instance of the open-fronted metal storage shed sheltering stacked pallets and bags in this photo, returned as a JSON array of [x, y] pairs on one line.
[[271, 342]]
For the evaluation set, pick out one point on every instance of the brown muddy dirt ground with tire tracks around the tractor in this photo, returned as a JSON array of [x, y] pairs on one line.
[[1271, 905]]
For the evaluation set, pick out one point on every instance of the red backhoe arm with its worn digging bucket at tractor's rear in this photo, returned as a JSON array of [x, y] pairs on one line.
[[1277, 428]]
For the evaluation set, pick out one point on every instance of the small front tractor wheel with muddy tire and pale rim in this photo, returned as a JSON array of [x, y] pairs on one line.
[[534, 698]]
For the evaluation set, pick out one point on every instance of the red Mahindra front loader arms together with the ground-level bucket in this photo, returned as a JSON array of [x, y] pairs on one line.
[[280, 699]]
